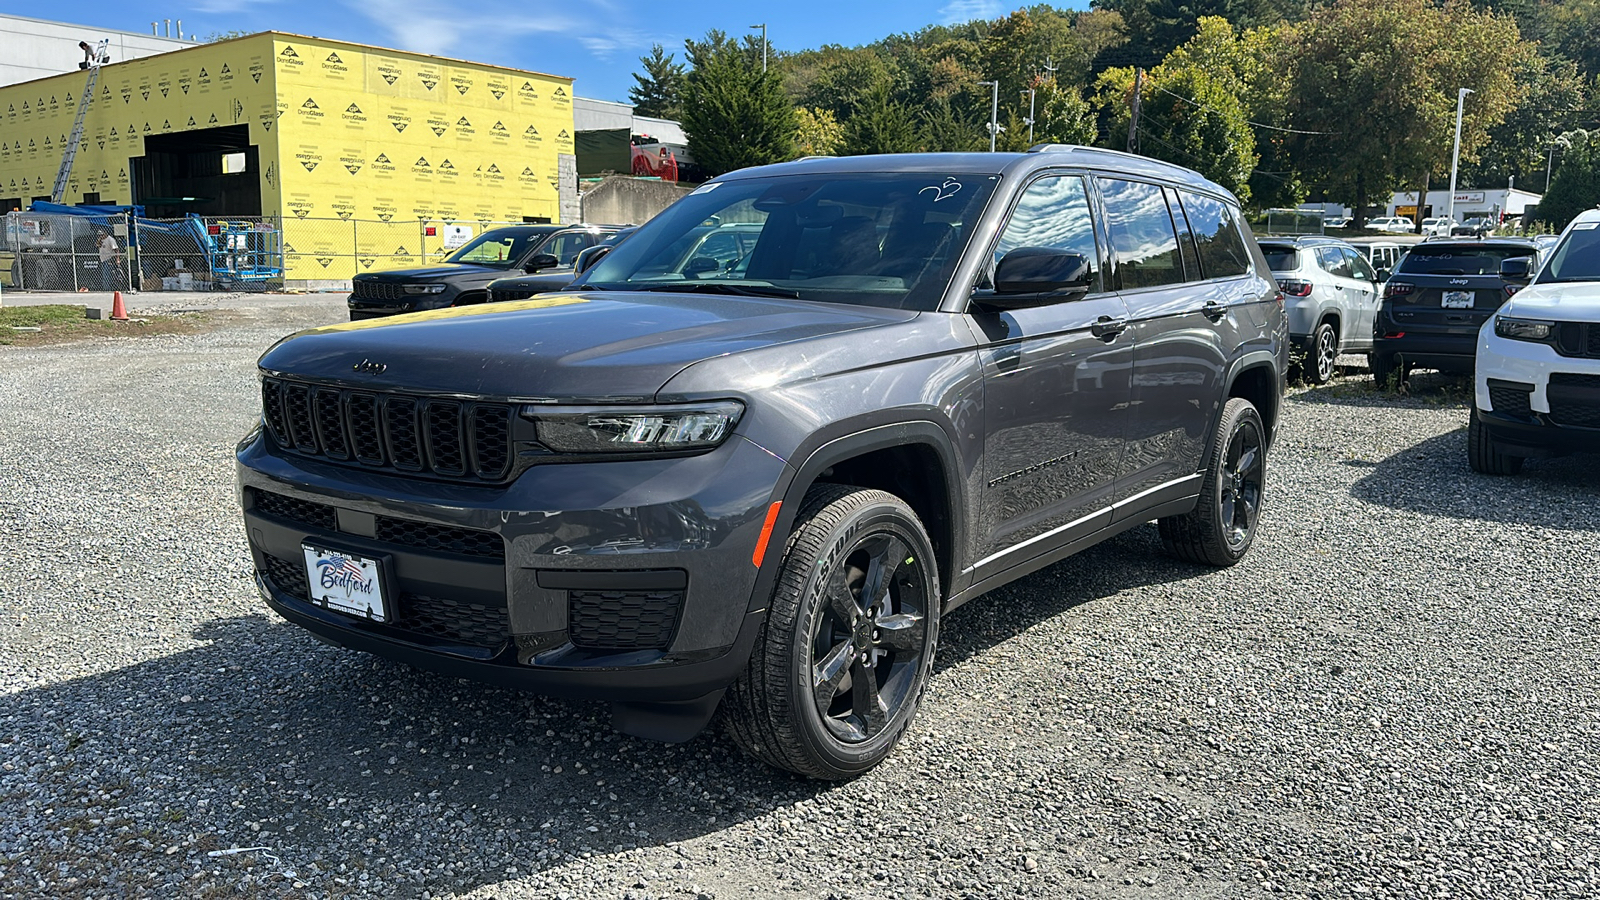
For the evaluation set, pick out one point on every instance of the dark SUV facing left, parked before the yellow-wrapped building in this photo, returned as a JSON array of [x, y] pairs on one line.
[[465, 276]]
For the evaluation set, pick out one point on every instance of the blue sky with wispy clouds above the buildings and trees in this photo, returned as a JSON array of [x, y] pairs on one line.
[[599, 42]]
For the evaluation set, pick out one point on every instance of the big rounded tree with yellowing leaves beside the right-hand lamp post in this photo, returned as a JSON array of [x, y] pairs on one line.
[[1372, 90]]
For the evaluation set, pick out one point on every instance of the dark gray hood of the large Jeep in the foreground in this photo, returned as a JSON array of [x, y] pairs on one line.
[[564, 347]]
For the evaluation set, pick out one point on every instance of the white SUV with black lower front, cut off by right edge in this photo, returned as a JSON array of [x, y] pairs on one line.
[[1537, 385]]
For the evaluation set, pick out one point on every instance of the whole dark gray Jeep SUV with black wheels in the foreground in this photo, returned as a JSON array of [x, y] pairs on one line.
[[761, 486]]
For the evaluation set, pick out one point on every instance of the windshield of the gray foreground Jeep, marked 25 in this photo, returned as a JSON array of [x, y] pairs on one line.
[[873, 239]]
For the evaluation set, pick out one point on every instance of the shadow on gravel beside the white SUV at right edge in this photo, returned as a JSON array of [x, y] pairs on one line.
[[1434, 478]]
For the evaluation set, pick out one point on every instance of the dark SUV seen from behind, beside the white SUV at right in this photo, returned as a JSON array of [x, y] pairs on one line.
[[1436, 303]]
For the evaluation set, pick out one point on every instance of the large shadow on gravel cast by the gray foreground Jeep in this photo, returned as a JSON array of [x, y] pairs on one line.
[[345, 765]]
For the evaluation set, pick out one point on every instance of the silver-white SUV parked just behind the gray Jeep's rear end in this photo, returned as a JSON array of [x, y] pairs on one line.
[[1330, 294]]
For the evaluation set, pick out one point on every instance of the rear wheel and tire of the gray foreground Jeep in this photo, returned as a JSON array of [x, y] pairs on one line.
[[1223, 524]]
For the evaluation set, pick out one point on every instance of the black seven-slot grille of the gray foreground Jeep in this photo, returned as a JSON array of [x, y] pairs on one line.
[[390, 432]]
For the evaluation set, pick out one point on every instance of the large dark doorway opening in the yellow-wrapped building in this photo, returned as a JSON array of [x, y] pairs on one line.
[[212, 172]]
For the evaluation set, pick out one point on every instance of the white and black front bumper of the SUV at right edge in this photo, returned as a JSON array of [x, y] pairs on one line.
[[1535, 401]]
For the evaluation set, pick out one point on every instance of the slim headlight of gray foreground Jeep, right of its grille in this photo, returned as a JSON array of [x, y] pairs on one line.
[[634, 430]]
